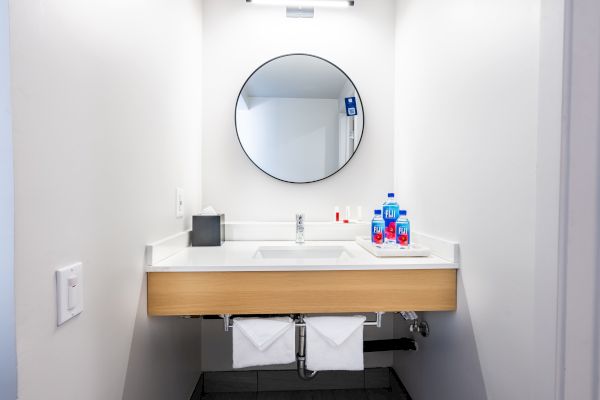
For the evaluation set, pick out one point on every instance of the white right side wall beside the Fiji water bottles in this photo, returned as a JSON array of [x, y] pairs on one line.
[[466, 142]]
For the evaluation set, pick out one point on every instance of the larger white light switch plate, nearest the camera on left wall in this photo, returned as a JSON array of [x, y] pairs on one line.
[[69, 292]]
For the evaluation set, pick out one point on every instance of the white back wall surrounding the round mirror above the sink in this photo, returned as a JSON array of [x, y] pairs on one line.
[[237, 39]]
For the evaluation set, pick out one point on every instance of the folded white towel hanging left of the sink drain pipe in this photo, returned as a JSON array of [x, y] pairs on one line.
[[263, 341]]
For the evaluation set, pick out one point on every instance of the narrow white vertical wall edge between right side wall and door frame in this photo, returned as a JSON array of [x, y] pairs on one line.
[[548, 198]]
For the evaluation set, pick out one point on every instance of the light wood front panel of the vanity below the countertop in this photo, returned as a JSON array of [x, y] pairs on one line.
[[212, 293]]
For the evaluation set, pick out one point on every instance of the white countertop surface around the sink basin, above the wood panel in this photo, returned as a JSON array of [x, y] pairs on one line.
[[235, 256]]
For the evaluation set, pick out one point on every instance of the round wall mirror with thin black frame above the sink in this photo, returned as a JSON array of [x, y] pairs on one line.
[[299, 118]]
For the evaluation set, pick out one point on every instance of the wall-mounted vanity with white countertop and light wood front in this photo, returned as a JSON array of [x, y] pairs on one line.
[[281, 277]]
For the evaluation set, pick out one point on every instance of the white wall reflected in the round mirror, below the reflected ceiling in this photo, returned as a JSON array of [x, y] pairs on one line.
[[276, 133]]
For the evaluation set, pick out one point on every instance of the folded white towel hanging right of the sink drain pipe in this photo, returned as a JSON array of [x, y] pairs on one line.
[[334, 343]]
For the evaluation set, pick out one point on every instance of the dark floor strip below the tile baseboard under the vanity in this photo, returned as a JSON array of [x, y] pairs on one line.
[[369, 394]]
